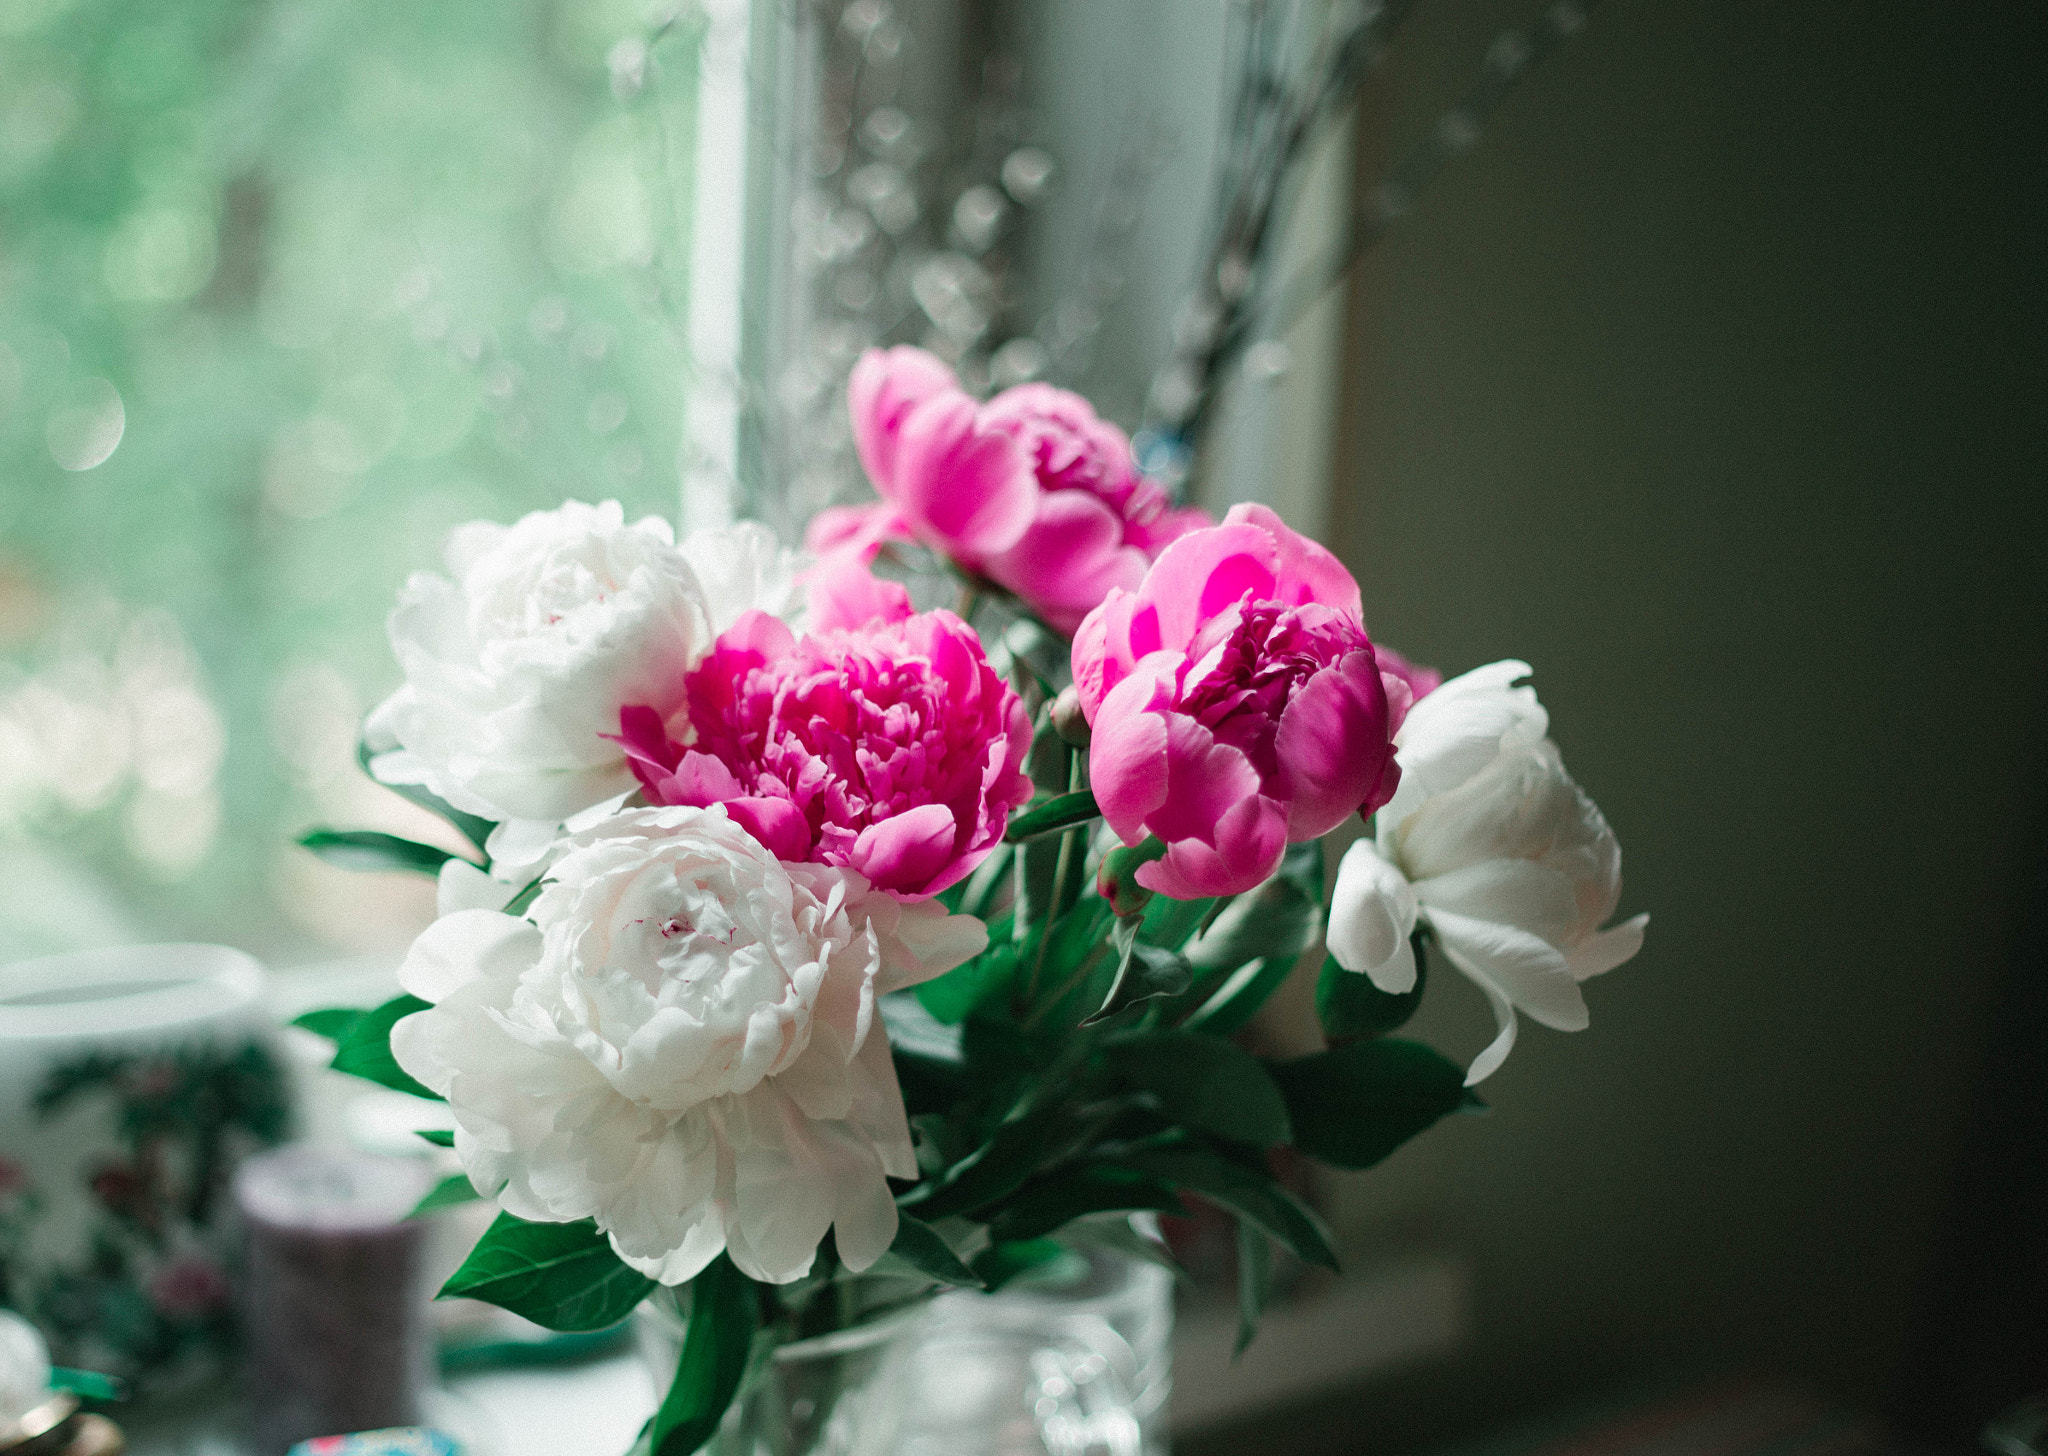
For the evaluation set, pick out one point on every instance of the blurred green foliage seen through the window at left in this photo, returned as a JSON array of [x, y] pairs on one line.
[[290, 288]]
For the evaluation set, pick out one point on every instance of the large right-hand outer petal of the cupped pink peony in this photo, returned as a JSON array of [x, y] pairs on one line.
[[1334, 744]]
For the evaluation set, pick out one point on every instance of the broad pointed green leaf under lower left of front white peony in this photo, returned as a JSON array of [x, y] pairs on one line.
[[558, 1275]]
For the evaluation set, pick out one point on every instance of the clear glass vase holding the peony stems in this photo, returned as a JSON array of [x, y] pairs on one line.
[[1068, 1361]]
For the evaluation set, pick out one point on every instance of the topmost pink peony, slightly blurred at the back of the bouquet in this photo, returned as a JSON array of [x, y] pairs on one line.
[[1029, 490]]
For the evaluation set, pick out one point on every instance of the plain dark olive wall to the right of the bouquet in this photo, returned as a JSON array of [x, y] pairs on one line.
[[1713, 386]]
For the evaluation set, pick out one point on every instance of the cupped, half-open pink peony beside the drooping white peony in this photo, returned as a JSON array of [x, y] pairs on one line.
[[1236, 703]]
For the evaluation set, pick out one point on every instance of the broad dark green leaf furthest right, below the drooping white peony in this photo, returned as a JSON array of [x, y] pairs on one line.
[[1357, 1105]]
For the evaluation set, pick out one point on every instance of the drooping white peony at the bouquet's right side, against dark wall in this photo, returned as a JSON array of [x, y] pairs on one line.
[[1494, 847]]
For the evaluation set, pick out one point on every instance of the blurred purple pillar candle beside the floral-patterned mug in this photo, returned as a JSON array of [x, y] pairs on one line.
[[335, 1305]]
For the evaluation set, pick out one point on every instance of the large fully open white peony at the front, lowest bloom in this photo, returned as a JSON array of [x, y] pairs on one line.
[[683, 1043]]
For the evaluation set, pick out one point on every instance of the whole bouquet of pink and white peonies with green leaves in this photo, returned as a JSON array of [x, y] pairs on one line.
[[816, 937]]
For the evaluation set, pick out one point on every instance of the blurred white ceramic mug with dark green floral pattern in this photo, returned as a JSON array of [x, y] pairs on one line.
[[132, 1082]]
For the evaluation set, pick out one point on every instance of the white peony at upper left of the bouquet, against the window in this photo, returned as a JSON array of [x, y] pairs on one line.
[[517, 669]]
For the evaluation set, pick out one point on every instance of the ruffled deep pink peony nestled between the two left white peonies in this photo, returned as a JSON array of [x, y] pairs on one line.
[[892, 748]]
